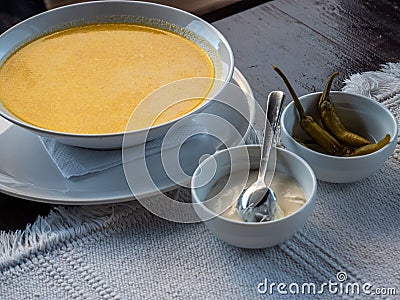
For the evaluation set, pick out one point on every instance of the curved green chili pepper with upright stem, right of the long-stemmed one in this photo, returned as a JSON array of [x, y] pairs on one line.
[[333, 123]]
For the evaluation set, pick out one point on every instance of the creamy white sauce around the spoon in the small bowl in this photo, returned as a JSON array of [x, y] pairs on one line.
[[289, 194]]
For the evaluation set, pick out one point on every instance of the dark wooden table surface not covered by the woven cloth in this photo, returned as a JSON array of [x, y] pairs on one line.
[[308, 39]]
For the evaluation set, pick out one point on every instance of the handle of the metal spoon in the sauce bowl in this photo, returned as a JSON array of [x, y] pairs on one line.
[[273, 112]]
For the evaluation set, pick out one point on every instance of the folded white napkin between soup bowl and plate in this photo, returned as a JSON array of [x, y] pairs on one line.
[[74, 161]]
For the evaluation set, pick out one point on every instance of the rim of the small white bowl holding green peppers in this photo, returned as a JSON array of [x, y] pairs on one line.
[[393, 138]]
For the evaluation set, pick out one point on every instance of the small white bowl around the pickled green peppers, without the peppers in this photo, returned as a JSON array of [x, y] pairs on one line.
[[359, 114]]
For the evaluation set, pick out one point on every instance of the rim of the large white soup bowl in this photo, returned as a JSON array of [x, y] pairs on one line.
[[16, 120]]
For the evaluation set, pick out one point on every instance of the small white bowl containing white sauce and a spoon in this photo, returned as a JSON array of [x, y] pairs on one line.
[[252, 235]]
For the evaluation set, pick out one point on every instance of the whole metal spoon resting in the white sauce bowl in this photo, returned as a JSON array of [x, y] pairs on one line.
[[258, 202]]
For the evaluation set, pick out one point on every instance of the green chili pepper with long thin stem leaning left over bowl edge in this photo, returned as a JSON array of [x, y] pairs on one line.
[[323, 138]]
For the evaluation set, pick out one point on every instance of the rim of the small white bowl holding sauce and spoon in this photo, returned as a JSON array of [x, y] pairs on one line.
[[308, 202]]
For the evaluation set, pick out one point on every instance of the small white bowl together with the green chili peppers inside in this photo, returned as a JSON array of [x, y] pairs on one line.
[[344, 137]]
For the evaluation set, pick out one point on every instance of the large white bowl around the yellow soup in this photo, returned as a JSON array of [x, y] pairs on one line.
[[156, 15]]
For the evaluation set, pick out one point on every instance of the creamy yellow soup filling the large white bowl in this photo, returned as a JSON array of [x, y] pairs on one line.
[[89, 79]]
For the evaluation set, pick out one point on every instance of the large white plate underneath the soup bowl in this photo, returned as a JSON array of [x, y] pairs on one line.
[[26, 170]]
